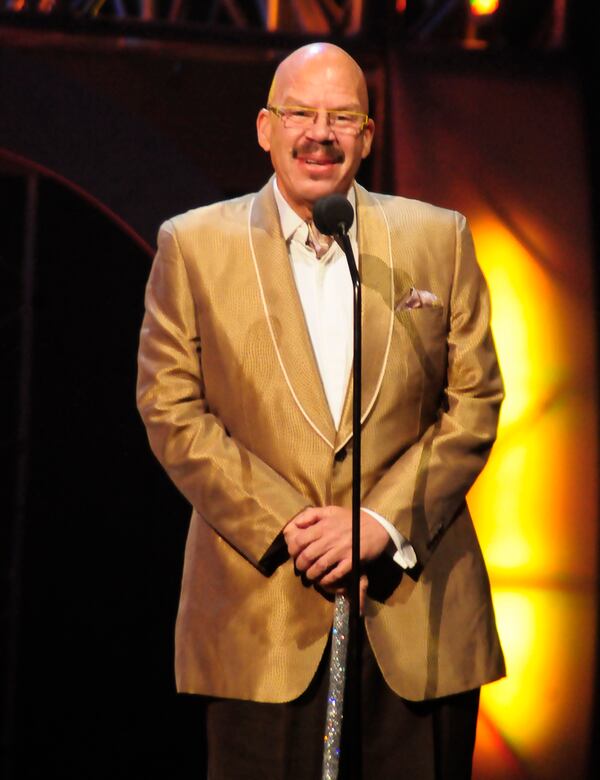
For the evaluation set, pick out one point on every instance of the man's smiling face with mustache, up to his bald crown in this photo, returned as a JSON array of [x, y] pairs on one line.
[[315, 161]]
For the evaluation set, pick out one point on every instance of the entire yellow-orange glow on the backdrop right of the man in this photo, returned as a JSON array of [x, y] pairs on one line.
[[535, 508]]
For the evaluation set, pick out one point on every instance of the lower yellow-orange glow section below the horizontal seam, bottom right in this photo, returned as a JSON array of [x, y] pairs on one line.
[[532, 708]]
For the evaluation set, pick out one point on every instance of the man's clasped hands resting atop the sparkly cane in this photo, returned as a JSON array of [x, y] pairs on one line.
[[319, 540]]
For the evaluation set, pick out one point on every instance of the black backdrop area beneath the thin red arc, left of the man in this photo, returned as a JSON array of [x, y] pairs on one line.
[[103, 530]]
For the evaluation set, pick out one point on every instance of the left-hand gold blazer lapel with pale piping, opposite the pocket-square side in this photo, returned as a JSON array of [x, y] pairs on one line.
[[284, 314]]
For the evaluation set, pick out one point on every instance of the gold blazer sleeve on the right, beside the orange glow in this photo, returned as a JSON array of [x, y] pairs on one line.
[[425, 488]]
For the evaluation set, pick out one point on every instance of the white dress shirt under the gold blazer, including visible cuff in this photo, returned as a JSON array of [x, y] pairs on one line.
[[325, 290]]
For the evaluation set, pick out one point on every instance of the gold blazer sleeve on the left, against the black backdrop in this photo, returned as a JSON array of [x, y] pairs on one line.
[[238, 494]]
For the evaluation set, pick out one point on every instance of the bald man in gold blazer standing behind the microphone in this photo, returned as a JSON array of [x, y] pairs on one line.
[[245, 389]]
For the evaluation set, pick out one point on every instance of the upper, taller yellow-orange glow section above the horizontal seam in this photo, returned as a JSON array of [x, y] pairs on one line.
[[527, 496]]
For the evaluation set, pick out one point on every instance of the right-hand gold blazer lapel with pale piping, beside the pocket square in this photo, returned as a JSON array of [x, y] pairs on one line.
[[377, 281]]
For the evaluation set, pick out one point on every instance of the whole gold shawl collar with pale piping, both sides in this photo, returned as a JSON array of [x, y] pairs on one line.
[[285, 317]]
